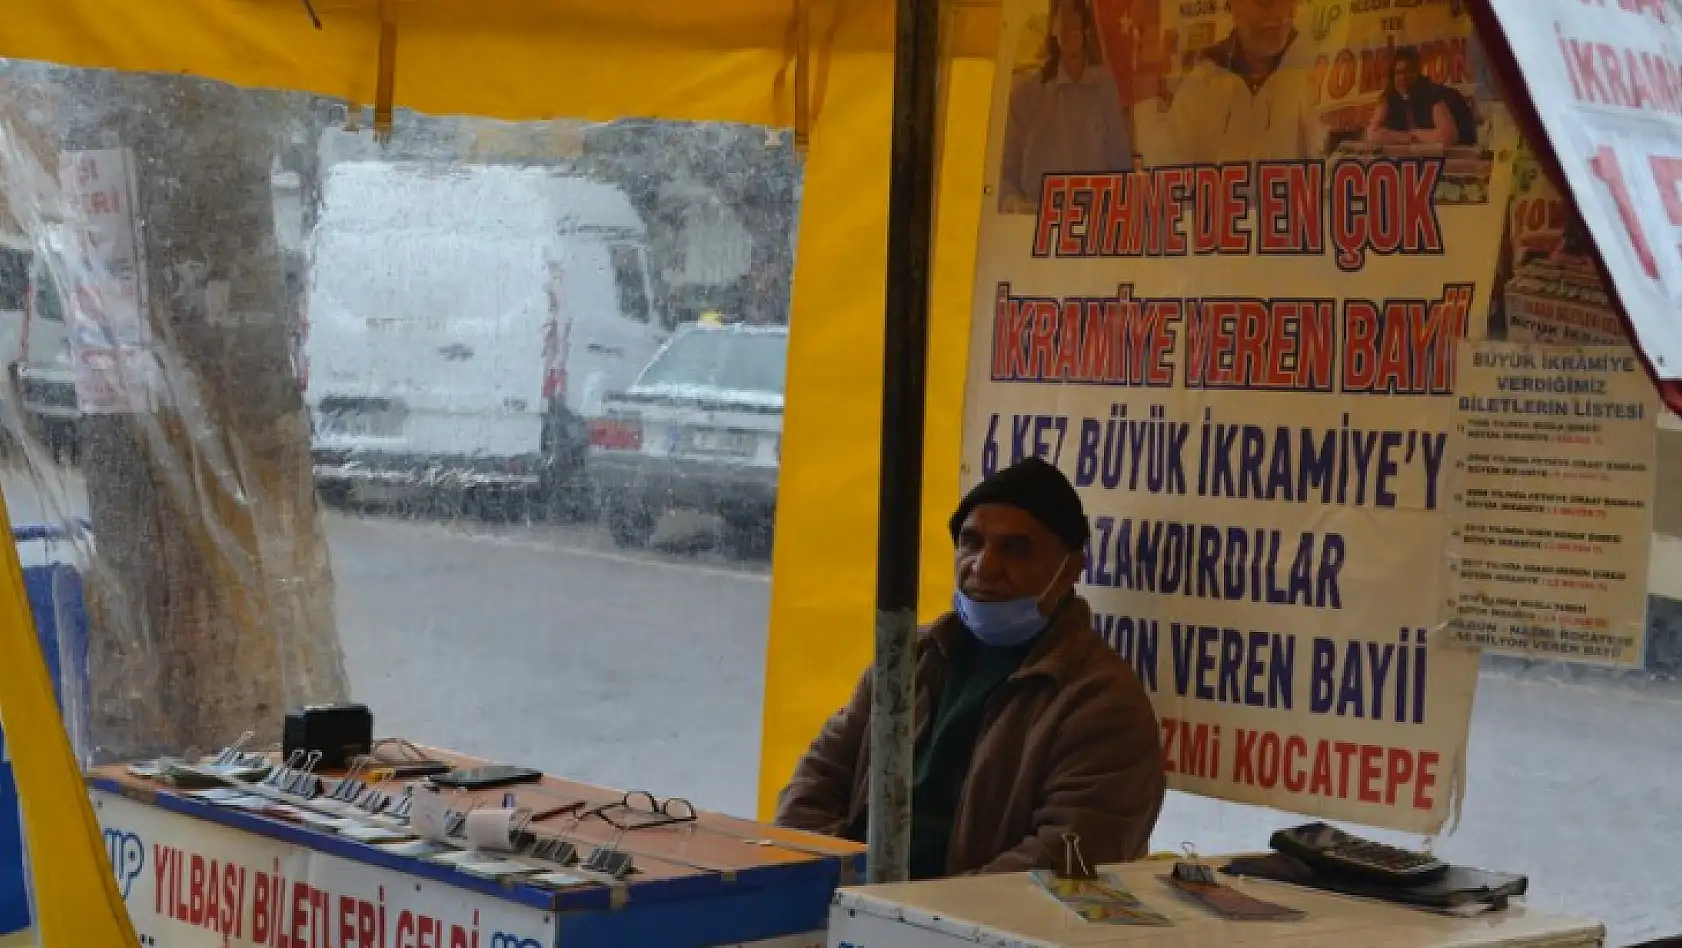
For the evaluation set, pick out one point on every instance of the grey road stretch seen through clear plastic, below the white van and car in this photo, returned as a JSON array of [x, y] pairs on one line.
[[547, 651]]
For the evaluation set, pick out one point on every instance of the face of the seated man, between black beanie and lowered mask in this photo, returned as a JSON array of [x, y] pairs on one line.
[[1005, 554]]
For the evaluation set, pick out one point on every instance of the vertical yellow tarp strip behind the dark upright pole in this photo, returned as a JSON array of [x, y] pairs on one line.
[[823, 598]]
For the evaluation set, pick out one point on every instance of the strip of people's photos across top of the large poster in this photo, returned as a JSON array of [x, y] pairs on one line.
[[1101, 85]]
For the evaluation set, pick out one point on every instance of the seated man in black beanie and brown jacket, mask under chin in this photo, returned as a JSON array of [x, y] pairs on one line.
[[1029, 727]]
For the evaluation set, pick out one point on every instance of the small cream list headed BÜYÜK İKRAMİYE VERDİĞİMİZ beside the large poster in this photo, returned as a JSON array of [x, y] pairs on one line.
[[1553, 502]]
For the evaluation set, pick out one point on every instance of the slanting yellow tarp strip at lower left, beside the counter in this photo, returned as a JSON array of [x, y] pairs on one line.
[[77, 898]]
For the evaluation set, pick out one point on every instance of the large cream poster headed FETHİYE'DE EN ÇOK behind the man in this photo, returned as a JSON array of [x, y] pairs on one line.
[[1225, 275]]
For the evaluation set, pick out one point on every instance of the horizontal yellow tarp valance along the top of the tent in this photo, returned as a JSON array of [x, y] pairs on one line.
[[512, 60]]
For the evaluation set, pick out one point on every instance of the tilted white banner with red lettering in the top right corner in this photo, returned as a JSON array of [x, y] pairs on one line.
[[1605, 80]]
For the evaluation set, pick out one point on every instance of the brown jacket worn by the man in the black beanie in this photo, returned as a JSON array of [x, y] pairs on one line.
[[1069, 744]]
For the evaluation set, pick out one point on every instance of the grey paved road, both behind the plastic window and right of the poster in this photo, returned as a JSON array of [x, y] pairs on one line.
[[549, 648]]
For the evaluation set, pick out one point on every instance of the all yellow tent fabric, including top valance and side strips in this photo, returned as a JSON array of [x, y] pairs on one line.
[[601, 60]]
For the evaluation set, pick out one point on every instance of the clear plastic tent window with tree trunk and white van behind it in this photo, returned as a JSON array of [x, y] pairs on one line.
[[317, 418]]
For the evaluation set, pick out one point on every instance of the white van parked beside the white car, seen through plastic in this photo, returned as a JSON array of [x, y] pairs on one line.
[[463, 324]]
